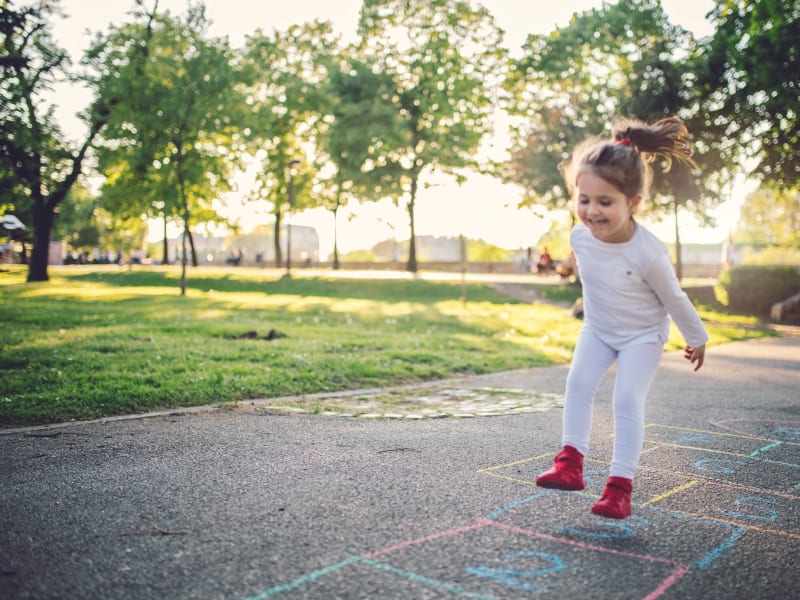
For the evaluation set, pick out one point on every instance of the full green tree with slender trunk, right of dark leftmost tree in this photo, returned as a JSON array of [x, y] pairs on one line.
[[175, 140]]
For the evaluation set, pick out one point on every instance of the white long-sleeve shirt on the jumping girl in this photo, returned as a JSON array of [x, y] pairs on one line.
[[630, 290]]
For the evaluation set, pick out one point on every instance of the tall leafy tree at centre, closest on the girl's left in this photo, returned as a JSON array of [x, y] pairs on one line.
[[444, 57]]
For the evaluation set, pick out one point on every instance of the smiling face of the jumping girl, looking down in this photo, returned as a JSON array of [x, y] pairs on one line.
[[604, 209]]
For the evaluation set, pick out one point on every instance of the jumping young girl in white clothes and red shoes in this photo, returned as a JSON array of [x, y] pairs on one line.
[[629, 293]]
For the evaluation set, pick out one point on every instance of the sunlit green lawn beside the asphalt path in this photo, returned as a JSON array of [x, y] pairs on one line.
[[104, 341]]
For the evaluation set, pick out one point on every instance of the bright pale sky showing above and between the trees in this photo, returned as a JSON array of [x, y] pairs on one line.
[[481, 208]]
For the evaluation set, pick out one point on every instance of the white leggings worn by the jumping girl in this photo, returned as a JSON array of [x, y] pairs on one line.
[[636, 368]]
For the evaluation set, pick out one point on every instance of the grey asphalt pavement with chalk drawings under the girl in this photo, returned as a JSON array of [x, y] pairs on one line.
[[257, 503]]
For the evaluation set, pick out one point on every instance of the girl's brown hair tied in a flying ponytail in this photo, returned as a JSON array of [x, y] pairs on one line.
[[625, 161]]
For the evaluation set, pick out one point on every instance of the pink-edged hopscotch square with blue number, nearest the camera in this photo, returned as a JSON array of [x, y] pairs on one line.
[[507, 561]]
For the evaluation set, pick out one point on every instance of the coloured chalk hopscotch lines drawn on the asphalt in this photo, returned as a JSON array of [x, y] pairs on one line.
[[678, 571]]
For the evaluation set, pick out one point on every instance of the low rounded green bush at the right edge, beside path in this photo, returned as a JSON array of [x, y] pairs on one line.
[[752, 289]]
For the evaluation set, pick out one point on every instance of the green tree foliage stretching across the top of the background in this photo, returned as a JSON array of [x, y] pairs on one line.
[[417, 94]]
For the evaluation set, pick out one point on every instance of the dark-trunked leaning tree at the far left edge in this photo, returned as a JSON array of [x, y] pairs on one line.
[[39, 164]]
